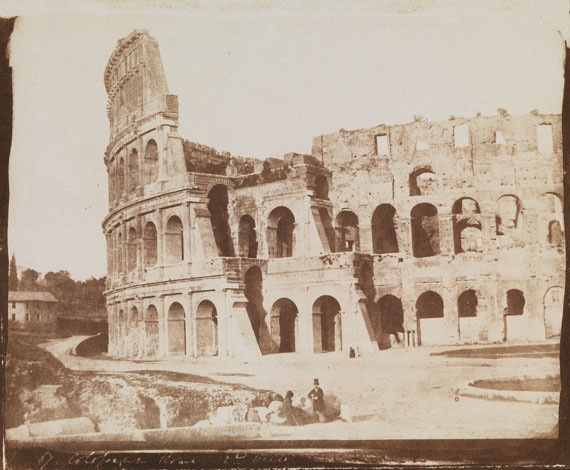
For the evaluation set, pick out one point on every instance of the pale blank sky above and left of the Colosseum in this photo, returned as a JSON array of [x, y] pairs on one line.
[[256, 79]]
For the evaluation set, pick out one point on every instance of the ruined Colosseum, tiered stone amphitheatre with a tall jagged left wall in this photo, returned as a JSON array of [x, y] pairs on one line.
[[426, 233]]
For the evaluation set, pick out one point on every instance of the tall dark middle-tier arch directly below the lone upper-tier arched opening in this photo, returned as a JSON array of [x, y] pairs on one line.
[[425, 231]]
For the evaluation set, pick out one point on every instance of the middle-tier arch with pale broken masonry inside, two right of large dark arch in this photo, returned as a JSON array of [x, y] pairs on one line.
[[467, 233]]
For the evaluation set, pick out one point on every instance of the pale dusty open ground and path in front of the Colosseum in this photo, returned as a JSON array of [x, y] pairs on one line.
[[393, 394]]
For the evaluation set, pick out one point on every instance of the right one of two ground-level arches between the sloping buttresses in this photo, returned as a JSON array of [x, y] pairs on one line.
[[327, 326]]
